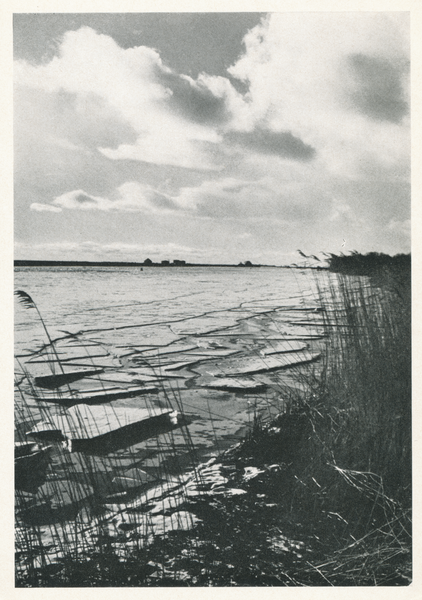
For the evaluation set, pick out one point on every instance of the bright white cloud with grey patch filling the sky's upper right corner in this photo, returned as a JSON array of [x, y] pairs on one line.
[[299, 67]]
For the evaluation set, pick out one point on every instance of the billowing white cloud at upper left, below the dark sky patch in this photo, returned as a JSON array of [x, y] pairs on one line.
[[138, 87]]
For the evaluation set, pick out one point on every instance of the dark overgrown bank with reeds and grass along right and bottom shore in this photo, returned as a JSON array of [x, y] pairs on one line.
[[326, 486]]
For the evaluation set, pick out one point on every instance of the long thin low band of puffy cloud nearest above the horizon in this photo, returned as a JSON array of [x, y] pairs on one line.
[[217, 199]]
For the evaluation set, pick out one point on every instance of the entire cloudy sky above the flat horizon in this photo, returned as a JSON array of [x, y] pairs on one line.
[[211, 137]]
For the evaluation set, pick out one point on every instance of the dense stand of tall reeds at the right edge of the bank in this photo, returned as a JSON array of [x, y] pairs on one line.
[[365, 394]]
